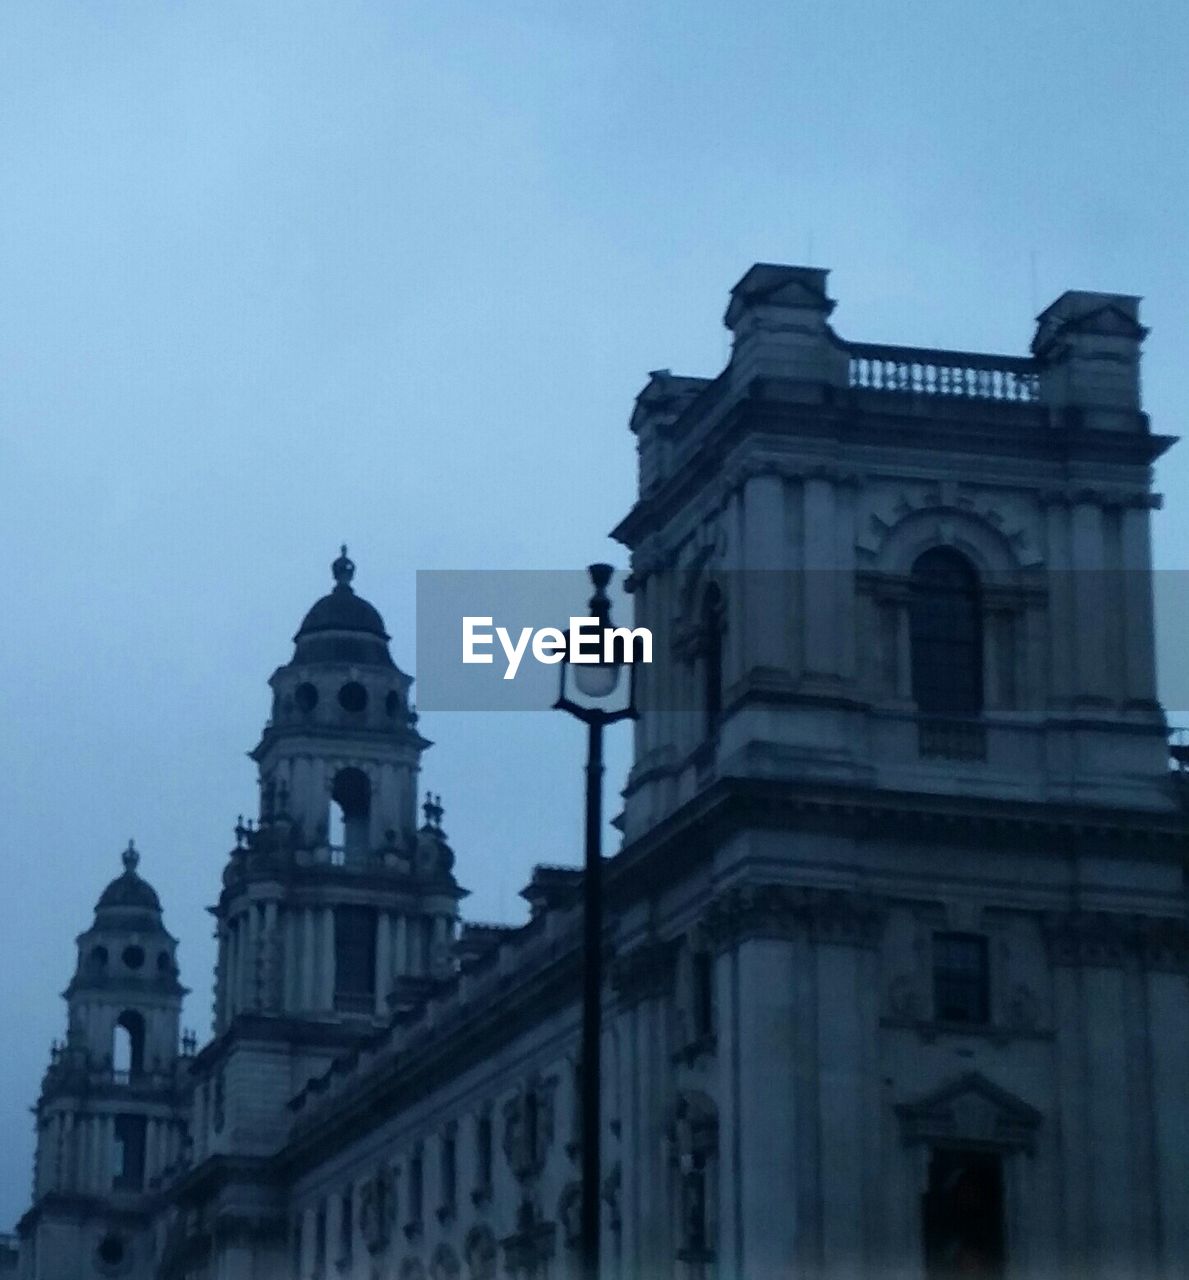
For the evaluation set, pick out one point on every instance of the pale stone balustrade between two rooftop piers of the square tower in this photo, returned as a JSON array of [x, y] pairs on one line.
[[962, 374]]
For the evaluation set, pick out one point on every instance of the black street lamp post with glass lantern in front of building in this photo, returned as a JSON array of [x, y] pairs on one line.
[[597, 683]]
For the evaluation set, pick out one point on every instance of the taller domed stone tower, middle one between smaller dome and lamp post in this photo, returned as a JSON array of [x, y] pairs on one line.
[[337, 911]]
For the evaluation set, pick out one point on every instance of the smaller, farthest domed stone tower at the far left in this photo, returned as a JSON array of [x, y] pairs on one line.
[[111, 1116]]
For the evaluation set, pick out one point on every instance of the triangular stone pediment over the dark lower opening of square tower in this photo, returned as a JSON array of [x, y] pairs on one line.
[[971, 1110]]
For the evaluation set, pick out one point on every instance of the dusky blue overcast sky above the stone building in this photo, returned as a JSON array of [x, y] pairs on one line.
[[277, 276]]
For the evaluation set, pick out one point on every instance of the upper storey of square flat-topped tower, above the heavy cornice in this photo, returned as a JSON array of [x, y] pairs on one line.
[[898, 568]]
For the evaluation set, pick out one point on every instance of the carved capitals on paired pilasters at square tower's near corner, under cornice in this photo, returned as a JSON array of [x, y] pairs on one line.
[[793, 911]]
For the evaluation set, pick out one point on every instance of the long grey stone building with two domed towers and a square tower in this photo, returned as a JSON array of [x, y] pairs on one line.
[[898, 929]]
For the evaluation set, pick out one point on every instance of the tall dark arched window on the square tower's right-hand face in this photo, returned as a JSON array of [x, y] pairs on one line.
[[946, 632]]
